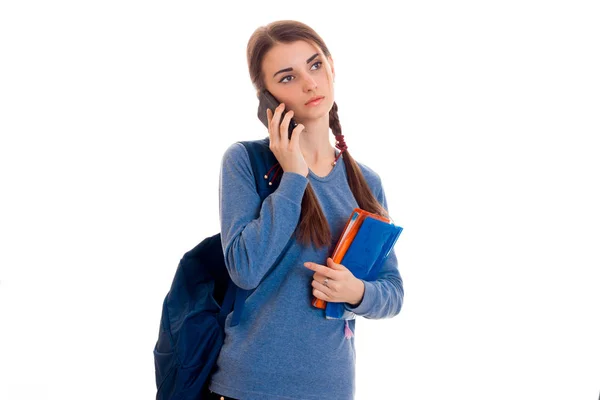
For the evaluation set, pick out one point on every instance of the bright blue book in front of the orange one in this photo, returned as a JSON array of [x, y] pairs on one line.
[[365, 257]]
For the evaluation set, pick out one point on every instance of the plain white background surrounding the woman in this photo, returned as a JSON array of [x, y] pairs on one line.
[[482, 119]]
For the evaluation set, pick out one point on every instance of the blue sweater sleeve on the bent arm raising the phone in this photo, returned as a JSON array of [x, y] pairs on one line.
[[254, 235]]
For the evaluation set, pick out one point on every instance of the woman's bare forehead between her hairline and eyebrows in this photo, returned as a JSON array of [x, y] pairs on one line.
[[284, 55]]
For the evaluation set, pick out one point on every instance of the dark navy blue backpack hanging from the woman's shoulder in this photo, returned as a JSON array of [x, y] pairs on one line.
[[194, 311]]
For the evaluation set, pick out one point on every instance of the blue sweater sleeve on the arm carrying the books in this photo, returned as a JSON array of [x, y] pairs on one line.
[[383, 297]]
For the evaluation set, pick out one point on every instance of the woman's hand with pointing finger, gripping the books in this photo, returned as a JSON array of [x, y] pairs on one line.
[[335, 283]]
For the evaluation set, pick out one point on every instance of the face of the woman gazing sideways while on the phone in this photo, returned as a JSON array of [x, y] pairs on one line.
[[297, 72]]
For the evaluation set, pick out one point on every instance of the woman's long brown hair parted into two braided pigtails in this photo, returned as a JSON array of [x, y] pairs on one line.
[[313, 227]]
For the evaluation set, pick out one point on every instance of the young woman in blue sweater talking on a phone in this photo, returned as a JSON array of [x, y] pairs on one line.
[[283, 347]]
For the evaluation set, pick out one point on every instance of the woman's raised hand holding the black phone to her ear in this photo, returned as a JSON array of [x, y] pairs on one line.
[[286, 151]]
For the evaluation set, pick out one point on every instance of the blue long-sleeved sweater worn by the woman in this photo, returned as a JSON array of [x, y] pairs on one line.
[[283, 347]]
